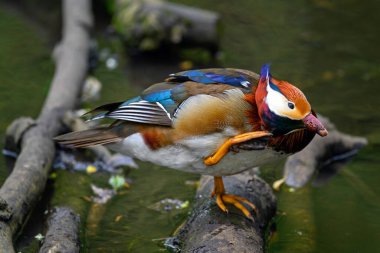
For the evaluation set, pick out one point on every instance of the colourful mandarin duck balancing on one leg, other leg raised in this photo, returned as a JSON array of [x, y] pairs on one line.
[[192, 121]]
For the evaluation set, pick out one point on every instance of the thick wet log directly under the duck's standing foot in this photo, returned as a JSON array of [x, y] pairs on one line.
[[210, 230]]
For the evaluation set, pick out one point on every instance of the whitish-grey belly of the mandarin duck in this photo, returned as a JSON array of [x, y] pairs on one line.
[[188, 155]]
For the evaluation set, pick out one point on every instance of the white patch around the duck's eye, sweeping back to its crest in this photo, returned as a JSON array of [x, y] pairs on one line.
[[278, 103]]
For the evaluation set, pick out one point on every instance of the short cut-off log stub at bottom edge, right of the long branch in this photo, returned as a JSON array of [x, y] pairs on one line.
[[62, 235]]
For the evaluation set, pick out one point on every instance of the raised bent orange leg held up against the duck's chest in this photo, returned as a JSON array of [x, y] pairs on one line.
[[223, 150]]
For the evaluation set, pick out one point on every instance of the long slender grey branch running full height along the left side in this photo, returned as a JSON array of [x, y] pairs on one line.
[[27, 181]]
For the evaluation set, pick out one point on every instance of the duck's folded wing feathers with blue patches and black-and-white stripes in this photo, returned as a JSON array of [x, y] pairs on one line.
[[158, 103]]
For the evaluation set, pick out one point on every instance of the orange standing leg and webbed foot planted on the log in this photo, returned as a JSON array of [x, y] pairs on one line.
[[222, 198]]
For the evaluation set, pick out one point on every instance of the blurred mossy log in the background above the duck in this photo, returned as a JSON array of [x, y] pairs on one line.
[[147, 25]]
